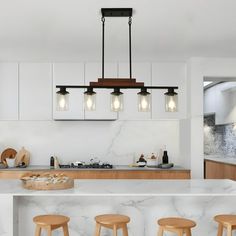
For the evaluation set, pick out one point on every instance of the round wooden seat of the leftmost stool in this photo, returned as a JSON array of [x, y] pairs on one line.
[[44, 220]]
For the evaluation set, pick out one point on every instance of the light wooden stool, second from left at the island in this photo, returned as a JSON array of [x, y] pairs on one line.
[[114, 222]]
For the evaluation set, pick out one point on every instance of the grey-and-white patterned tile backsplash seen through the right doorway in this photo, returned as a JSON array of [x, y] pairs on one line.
[[219, 139]]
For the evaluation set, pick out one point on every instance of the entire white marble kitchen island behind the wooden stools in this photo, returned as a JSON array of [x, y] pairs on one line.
[[144, 201]]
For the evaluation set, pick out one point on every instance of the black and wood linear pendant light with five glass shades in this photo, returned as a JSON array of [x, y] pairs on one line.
[[117, 84]]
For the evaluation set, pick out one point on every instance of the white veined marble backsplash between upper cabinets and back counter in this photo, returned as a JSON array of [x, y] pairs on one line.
[[117, 142]]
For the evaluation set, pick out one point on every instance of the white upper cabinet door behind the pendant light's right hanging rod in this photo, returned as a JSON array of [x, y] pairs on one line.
[[142, 73]]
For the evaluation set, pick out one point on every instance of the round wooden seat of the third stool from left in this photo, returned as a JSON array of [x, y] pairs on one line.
[[176, 223]]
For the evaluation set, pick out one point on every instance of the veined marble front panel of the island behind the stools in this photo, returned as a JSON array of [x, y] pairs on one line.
[[143, 211]]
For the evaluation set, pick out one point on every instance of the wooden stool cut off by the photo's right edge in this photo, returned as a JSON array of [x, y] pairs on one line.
[[225, 221]]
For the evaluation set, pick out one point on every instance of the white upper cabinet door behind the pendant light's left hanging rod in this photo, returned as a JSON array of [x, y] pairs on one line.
[[92, 73]]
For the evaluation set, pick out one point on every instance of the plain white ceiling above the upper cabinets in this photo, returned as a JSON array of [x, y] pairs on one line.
[[71, 29]]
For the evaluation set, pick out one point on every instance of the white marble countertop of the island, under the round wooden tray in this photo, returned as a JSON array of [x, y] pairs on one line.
[[137, 188]]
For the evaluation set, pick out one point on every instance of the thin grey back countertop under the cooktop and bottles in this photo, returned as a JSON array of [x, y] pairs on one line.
[[115, 167]]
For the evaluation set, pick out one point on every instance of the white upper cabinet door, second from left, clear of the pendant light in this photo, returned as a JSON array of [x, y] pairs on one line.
[[35, 91]]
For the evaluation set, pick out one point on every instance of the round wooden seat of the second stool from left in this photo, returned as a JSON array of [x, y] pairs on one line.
[[110, 219]]
